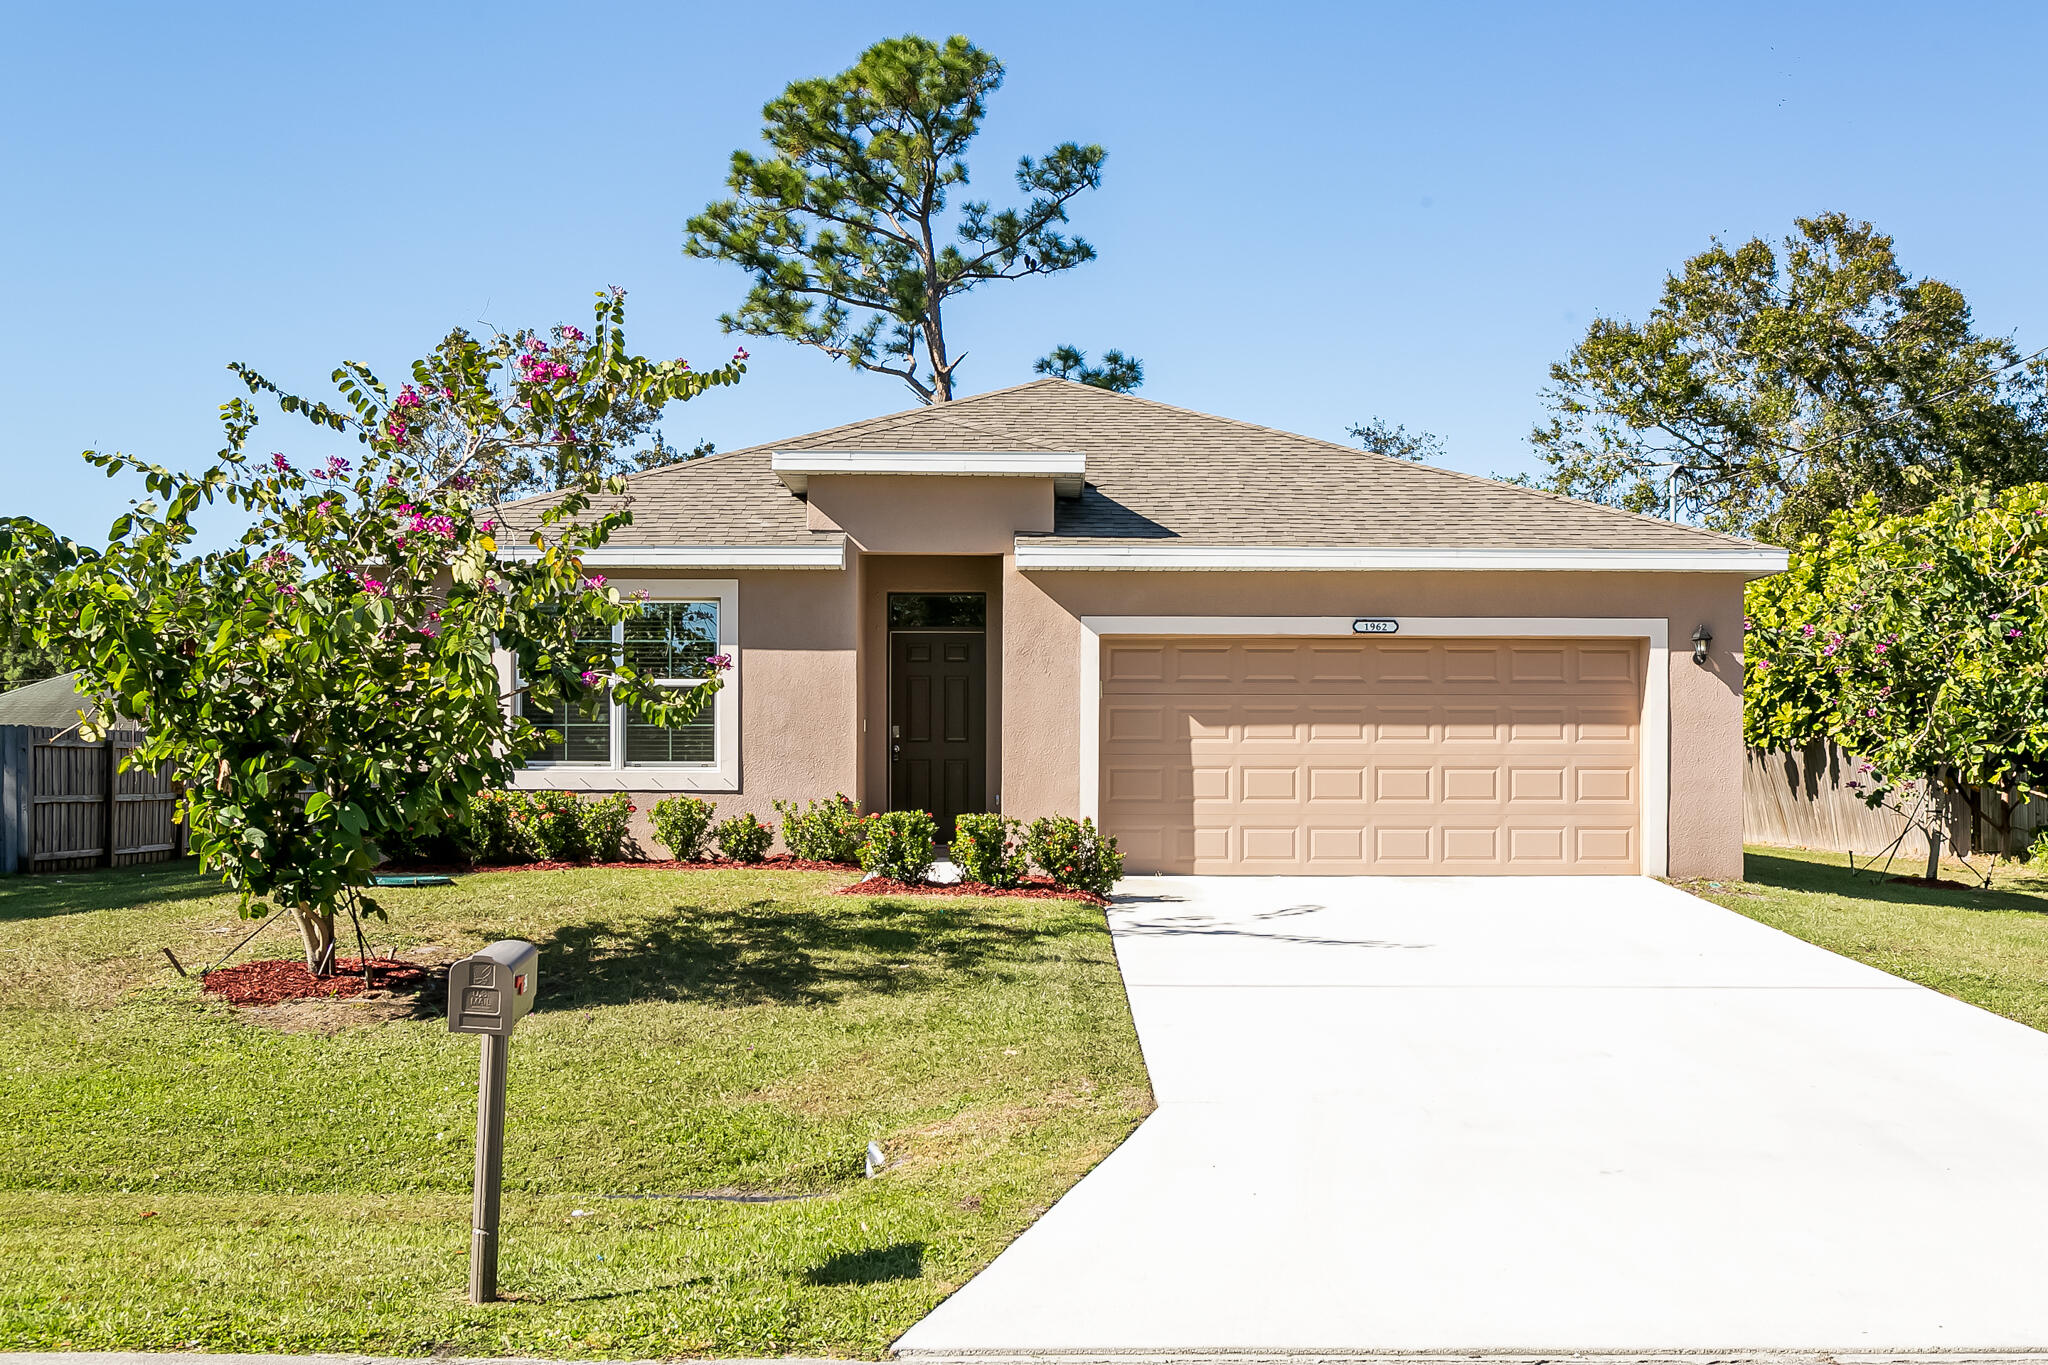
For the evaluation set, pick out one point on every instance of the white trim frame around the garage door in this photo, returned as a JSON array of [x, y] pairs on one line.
[[1656, 725]]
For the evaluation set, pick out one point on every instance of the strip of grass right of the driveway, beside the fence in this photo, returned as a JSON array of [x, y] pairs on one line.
[[1981, 946]]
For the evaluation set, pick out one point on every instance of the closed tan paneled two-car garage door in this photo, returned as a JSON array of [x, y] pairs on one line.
[[1373, 756]]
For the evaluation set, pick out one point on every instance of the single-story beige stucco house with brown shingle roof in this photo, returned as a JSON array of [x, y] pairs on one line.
[[1234, 648]]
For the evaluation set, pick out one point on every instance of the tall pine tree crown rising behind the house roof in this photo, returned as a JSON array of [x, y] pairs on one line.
[[845, 226]]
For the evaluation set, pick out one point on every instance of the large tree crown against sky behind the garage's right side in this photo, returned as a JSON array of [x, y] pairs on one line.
[[1791, 384]]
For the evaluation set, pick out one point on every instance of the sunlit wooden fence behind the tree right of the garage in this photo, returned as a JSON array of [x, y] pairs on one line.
[[1805, 801]]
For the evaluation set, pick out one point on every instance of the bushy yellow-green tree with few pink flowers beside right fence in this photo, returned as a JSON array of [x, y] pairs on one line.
[[1918, 644]]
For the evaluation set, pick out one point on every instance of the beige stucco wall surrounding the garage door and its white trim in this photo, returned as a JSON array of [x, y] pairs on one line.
[[1041, 658]]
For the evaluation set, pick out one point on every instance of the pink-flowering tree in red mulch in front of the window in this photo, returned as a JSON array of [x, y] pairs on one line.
[[329, 682]]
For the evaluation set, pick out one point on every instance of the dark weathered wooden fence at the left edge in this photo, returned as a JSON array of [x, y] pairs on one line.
[[69, 805]]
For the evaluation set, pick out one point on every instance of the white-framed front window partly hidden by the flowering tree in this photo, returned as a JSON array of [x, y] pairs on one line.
[[667, 644]]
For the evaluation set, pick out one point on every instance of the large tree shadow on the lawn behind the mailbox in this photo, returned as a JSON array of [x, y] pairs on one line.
[[777, 953]]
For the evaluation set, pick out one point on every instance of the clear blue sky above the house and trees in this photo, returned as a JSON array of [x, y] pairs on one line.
[[1312, 214]]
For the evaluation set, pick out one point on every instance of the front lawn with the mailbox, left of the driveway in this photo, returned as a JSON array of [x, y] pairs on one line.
[[183, 1176]]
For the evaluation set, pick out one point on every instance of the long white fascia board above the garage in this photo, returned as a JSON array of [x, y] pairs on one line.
[[1234, 558]]
